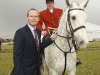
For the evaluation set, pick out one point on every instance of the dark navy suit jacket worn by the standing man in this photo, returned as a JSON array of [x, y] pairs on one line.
[[25, 55]]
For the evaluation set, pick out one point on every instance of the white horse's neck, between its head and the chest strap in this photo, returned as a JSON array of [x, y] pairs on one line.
[[60, 41]]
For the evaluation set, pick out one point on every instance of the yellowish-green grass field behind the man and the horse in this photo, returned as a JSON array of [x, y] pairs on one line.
[[90, 58]]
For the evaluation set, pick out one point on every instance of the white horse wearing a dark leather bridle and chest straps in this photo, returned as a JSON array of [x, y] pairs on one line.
[[60, 57]]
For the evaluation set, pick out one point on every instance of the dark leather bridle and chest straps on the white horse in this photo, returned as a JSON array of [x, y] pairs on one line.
[[68, 38]]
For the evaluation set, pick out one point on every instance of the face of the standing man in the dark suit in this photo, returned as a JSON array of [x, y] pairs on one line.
[[33, 17]]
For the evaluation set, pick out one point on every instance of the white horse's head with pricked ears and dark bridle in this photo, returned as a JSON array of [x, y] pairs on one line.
[[76, 19]]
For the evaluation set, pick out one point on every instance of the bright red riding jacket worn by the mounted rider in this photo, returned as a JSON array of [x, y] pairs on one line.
[[49, 19]]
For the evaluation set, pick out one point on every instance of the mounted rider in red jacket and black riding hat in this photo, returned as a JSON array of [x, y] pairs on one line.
[[50, 17]]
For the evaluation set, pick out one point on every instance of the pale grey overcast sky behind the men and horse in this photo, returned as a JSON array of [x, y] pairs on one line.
[[13, 13]]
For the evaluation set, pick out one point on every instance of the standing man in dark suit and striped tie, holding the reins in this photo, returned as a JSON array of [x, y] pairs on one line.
[[27, 48]]
